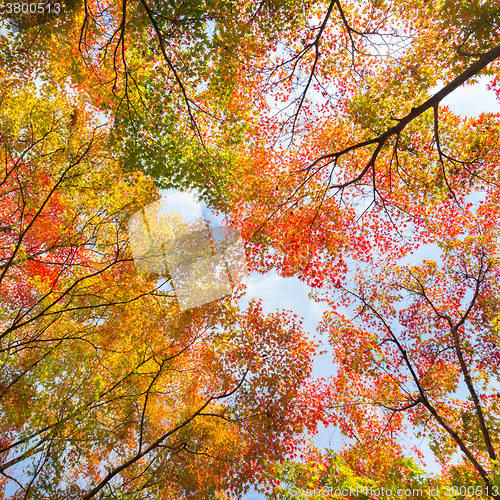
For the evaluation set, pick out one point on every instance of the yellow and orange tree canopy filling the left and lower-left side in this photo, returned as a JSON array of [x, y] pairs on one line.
[[106, 387]]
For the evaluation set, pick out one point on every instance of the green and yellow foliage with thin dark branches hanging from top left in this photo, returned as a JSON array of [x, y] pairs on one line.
[[171, 78]]
